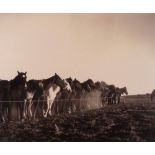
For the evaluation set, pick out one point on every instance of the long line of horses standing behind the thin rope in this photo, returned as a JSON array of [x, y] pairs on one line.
[[38, 97]]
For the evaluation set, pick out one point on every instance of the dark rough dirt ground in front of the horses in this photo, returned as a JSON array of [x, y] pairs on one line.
[[131, 121]]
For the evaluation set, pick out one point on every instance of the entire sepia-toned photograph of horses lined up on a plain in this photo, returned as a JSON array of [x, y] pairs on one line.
[[77, 77]]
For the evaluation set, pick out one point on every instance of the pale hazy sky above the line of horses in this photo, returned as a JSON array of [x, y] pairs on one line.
[[116, 48]]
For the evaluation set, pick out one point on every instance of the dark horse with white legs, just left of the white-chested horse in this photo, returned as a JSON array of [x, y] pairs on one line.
[[34, 92]]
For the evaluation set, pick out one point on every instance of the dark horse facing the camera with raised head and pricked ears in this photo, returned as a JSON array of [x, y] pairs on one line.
[[17, 94]]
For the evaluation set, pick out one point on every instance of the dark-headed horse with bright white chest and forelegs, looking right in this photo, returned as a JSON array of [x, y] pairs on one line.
[[52, 87]]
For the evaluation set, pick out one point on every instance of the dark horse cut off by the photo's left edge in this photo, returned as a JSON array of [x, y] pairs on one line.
[[4, 98]]
